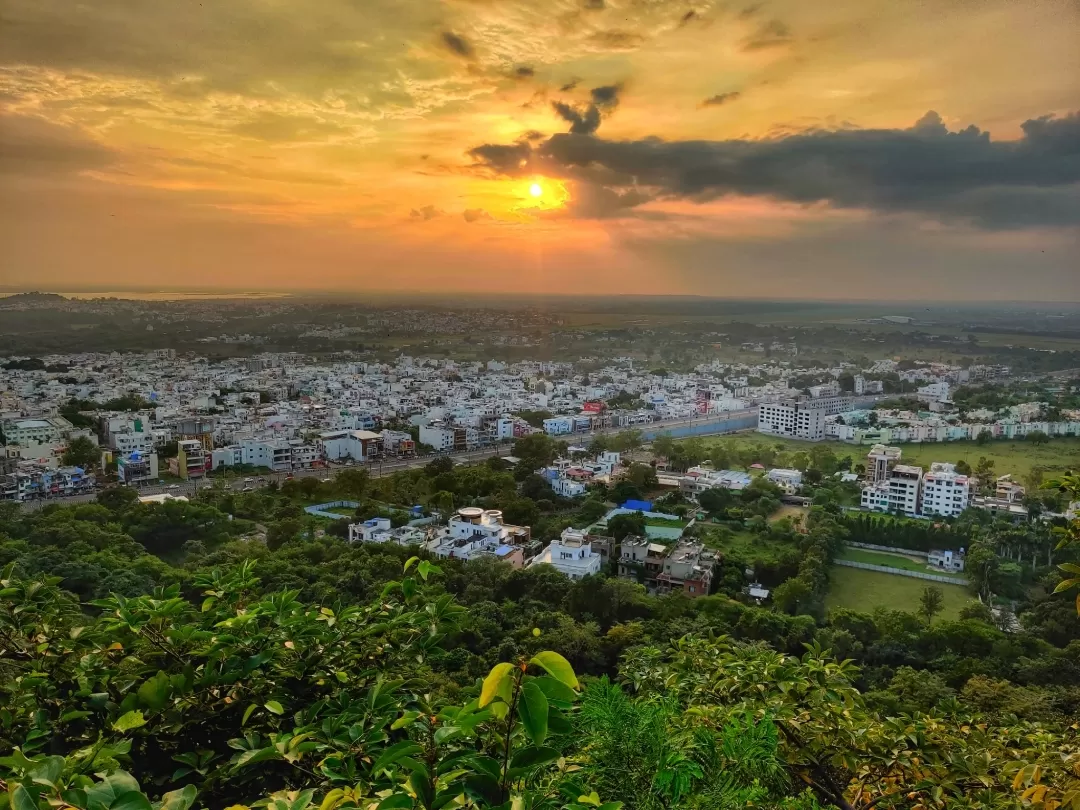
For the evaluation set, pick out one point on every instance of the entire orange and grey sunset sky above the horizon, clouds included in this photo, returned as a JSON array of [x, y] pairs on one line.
[[907, 150]]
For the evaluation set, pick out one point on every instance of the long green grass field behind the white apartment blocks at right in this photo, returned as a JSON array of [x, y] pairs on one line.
[[1019, 458]]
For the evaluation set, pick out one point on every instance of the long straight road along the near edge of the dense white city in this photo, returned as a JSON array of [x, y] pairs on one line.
[[391, 466]]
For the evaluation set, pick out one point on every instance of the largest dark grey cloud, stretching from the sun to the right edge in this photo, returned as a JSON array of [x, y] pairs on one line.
[[925, 170]]
